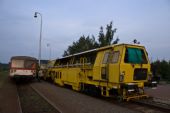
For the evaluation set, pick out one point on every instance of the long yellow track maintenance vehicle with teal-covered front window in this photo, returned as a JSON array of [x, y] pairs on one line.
[[113, 71]]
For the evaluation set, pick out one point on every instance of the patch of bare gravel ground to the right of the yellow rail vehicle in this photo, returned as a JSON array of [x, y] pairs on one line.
[[162, 91]]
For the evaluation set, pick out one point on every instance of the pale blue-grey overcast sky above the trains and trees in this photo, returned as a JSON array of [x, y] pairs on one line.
[[64, 21]]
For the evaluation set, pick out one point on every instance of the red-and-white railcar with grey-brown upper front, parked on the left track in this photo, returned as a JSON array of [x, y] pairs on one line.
[[23, 67]]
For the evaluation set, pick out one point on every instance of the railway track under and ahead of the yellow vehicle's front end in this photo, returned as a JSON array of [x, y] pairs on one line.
[[149, 105]]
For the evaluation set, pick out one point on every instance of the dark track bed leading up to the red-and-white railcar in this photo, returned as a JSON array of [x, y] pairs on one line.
[[31, 102]]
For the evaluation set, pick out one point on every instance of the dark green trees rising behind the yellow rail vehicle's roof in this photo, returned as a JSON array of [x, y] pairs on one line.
[[86, 42]]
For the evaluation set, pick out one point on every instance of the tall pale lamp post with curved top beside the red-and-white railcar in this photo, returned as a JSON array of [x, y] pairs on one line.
[[39, 55]]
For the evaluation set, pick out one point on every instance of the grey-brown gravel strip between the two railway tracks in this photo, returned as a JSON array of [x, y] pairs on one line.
[[69, 101]]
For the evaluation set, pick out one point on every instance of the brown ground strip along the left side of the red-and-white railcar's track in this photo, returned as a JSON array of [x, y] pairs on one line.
[[9, 101]]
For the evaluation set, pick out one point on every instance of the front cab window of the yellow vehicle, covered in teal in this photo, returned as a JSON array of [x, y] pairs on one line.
[[135, 55]]
